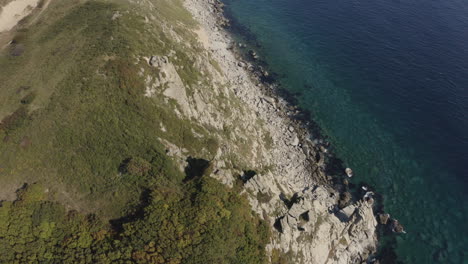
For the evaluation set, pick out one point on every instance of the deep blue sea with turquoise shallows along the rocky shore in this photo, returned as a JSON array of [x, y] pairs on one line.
[[387, 81]]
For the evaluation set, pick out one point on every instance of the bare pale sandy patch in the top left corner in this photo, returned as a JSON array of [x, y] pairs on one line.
[[14, 12]]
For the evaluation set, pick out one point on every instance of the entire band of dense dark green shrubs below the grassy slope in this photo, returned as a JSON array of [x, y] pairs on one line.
[[202, 222]]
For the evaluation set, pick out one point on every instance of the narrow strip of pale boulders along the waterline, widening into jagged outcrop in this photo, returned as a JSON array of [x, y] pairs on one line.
[[312, 222]]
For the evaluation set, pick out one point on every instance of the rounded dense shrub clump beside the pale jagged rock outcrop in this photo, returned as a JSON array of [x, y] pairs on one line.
[[206, 223]]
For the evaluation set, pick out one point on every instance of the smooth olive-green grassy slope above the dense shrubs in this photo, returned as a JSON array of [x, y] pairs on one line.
[[83, 125]]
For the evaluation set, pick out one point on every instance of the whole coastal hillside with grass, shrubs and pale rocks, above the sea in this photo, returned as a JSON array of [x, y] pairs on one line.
[[129, 133]]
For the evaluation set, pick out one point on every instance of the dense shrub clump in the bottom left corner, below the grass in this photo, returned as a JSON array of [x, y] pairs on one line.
[[33, 230]]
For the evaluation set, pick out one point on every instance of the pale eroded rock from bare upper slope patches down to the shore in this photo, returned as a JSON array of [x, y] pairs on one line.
[[289, 187]]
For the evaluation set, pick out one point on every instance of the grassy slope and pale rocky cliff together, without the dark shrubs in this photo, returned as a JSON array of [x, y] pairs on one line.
[[179, 85]]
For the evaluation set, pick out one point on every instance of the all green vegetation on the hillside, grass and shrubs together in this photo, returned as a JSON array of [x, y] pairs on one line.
[[74, 118]]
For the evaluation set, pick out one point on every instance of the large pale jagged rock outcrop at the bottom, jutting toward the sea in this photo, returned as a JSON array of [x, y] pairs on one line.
[[313, 227]]
